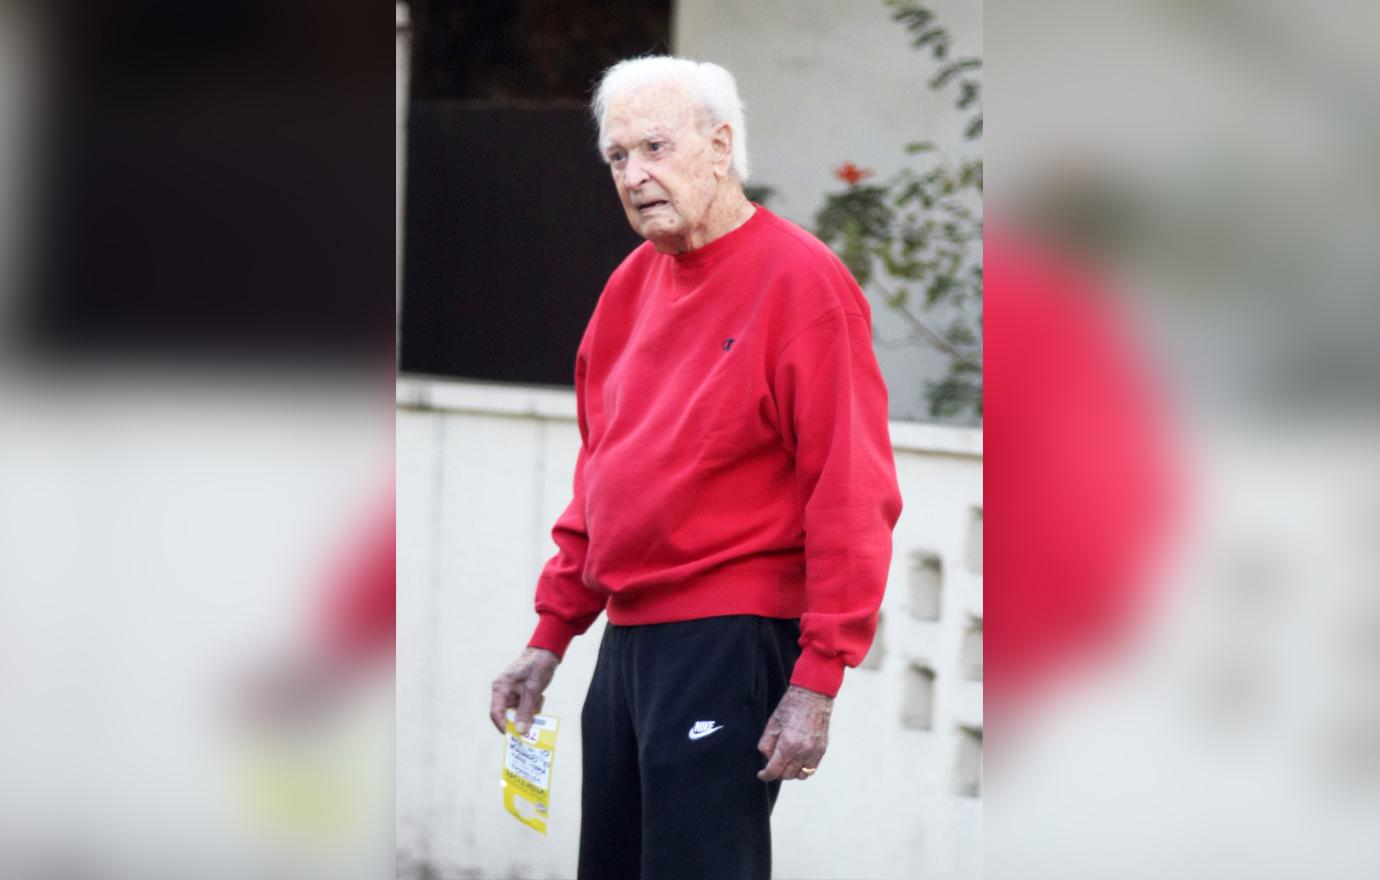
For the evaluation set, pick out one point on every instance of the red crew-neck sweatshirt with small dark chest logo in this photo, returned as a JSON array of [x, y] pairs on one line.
[[736, 456]]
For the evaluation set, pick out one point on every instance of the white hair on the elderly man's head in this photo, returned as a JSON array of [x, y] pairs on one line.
[[710, 86]]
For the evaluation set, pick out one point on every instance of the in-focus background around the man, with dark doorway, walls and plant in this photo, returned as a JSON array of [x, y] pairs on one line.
[[865, 126]]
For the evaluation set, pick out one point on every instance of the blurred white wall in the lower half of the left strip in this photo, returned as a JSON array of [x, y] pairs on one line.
[[168, 543]]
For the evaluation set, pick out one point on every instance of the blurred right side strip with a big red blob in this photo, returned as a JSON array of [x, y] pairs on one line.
[[1193, 188]]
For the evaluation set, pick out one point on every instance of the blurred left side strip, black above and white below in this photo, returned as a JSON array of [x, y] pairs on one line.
[[195, 441]]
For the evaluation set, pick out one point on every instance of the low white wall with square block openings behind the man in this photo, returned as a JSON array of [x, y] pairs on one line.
[[482, 475]]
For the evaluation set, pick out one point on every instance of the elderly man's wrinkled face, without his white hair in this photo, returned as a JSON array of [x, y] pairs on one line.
[[663, 165]]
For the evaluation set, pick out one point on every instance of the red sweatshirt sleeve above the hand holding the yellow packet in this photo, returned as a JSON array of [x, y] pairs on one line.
[[565, 605]]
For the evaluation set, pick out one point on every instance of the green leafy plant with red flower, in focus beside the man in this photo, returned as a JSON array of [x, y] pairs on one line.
[[916, 239]]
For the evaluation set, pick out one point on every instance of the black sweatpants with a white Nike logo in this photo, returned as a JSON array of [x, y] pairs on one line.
[[671, 729]]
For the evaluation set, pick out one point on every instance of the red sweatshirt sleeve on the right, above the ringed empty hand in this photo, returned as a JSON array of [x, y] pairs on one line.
[[831, 403]]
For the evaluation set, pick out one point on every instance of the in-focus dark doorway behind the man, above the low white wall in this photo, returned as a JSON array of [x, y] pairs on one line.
[[511, 224]]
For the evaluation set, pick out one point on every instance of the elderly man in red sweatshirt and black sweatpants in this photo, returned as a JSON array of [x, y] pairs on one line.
[[733, 499]]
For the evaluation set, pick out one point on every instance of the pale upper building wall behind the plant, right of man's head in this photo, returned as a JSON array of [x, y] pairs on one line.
[[829, 82]]
